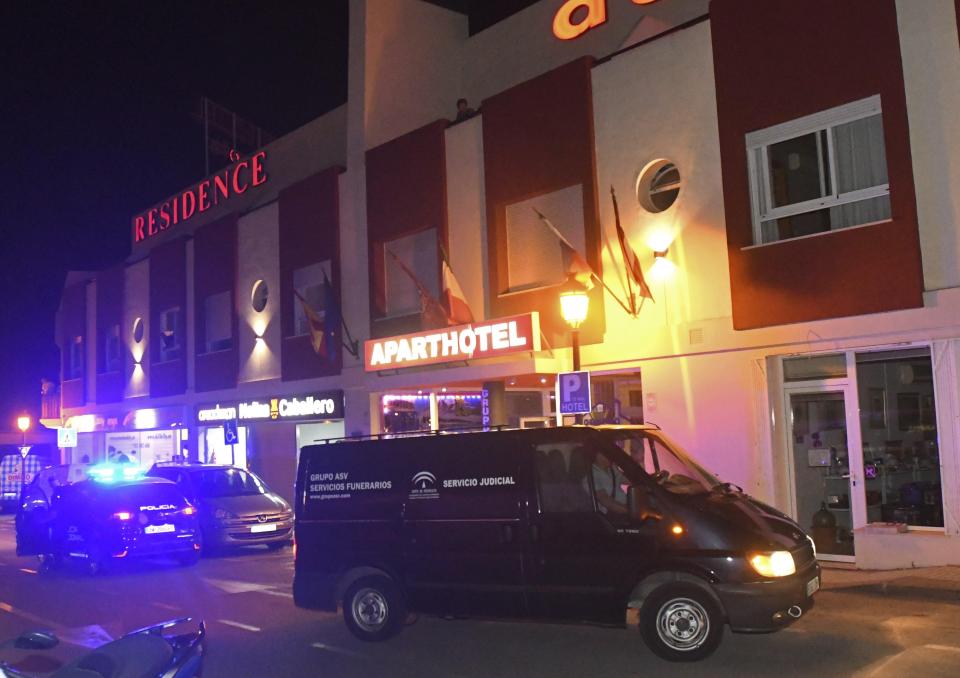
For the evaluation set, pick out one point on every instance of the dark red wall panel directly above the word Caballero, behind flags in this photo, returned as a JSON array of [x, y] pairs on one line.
[[309, 233]]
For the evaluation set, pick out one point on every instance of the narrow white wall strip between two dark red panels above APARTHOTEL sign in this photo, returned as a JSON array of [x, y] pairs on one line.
[[467, 211]]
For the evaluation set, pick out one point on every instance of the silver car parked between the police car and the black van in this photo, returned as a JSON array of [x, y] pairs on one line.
[[236, 506]]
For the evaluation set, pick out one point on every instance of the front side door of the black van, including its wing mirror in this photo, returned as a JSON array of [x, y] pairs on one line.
[[586, 553]]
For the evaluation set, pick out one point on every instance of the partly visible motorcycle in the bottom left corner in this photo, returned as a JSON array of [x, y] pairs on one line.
[[144, 653]]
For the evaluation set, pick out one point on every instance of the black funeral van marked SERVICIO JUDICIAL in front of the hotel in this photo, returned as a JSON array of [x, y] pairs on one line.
[[613, 525]]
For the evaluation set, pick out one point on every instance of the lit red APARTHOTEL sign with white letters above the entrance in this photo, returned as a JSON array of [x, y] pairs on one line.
[[487, 339]]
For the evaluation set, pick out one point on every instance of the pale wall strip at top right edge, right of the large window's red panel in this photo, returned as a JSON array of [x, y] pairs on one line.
[[931, 62]]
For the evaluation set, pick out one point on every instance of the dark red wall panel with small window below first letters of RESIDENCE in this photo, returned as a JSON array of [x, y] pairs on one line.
[[168, 288]]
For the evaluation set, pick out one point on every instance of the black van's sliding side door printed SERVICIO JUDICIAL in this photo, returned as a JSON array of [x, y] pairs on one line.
[[463, 531]]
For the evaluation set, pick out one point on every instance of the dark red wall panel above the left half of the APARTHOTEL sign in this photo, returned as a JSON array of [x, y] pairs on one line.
[[406, 193]]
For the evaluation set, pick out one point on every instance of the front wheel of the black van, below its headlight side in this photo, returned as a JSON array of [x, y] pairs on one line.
[[681, 623]]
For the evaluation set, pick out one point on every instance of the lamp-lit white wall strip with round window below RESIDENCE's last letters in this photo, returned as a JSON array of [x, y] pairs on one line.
[[258, 258]]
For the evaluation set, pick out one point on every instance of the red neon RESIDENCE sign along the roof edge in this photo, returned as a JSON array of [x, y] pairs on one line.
[[235, 180]]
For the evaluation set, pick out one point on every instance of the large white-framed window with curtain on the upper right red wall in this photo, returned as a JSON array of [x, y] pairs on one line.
[[819, 173]]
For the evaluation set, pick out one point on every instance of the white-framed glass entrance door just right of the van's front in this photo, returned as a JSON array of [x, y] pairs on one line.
[[825, 468]]
